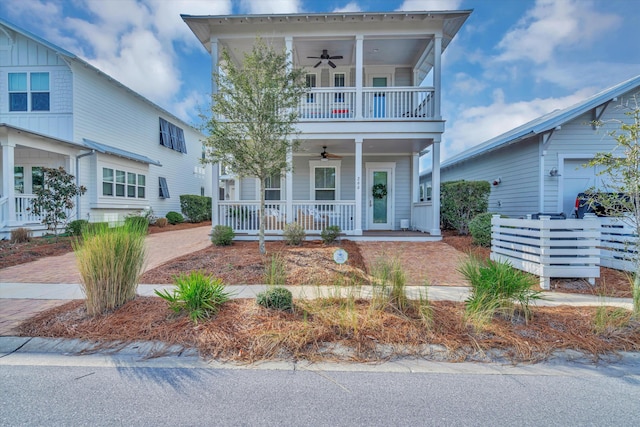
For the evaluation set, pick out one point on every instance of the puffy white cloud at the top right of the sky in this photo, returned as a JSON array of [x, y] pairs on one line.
[[552, 25]]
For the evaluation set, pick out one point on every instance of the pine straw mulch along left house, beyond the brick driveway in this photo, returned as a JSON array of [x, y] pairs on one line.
[[39, 247]]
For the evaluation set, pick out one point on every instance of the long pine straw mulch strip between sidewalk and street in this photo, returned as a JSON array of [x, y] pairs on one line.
[[335, 330]]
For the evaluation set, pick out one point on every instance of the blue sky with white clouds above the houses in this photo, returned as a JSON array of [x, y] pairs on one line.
[[512, 61]]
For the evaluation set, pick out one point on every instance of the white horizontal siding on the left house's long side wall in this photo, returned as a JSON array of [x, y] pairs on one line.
[[107, 113]]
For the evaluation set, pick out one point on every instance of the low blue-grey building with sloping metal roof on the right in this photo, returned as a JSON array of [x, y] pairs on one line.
[[538, 167]]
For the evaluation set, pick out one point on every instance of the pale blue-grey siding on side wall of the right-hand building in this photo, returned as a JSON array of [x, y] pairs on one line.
[[518, 168]]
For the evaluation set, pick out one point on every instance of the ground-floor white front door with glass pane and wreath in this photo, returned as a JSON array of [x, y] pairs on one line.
[[379, 198]]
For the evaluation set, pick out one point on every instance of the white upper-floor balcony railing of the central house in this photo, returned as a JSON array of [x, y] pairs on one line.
[[379, 103]]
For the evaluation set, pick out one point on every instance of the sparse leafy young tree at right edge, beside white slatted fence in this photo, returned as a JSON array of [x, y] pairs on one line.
[[622, 167]]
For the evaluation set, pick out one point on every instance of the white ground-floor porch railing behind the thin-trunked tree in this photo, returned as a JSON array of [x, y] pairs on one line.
[[314, 216]]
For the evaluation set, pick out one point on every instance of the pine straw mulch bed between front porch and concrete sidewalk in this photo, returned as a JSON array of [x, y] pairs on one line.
[[241, 263]]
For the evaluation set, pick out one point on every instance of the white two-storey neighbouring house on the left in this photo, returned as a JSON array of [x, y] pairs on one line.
[[58, 110]]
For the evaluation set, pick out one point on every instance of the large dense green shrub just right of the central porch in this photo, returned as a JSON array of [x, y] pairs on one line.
[[460, 201]]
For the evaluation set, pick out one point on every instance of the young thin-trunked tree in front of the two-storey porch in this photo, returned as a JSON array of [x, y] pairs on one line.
[[254, 113]]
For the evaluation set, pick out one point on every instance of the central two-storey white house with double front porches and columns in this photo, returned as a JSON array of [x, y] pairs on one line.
[[364, 122]]
